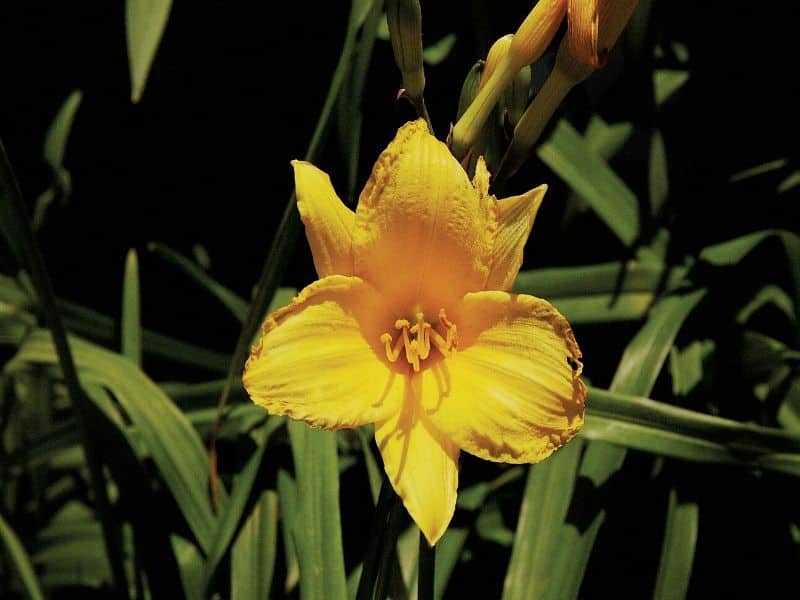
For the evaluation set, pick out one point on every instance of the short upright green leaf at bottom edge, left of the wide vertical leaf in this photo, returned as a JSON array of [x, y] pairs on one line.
[[253, 557]]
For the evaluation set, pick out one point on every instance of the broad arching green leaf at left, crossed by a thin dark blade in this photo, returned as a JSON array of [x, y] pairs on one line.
[[173, 443]]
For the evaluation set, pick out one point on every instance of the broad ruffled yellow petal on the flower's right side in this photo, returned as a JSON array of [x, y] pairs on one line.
[[512, 391]]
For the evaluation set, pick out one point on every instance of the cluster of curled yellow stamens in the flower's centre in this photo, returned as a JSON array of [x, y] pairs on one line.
[[416, 339]]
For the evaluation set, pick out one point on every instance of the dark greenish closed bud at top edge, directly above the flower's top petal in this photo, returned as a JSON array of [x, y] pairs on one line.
[[404, 18]]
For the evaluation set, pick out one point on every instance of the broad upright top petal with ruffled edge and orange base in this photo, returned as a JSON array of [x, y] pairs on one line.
[[421, 236]]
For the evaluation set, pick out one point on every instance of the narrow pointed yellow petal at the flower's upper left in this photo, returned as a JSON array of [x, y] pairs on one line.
[[329, 223]]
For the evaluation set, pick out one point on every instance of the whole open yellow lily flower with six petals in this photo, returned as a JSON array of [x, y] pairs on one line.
[[411, 326]]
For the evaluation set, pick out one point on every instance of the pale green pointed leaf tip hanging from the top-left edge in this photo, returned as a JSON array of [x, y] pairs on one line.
[[145, 21]]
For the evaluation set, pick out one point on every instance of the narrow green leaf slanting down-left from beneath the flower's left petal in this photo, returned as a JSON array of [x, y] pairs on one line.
[[243, 487]]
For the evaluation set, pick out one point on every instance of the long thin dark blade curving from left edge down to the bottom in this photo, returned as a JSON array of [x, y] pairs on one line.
[[18, 226]]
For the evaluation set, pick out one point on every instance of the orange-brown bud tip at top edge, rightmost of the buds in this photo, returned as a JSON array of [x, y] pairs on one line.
[[594, 27]]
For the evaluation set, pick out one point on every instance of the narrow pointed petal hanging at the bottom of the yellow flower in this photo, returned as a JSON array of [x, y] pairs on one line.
[[422, 465]]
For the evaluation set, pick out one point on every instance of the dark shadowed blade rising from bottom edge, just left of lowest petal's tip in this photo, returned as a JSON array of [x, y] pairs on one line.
[[383, 536]]
